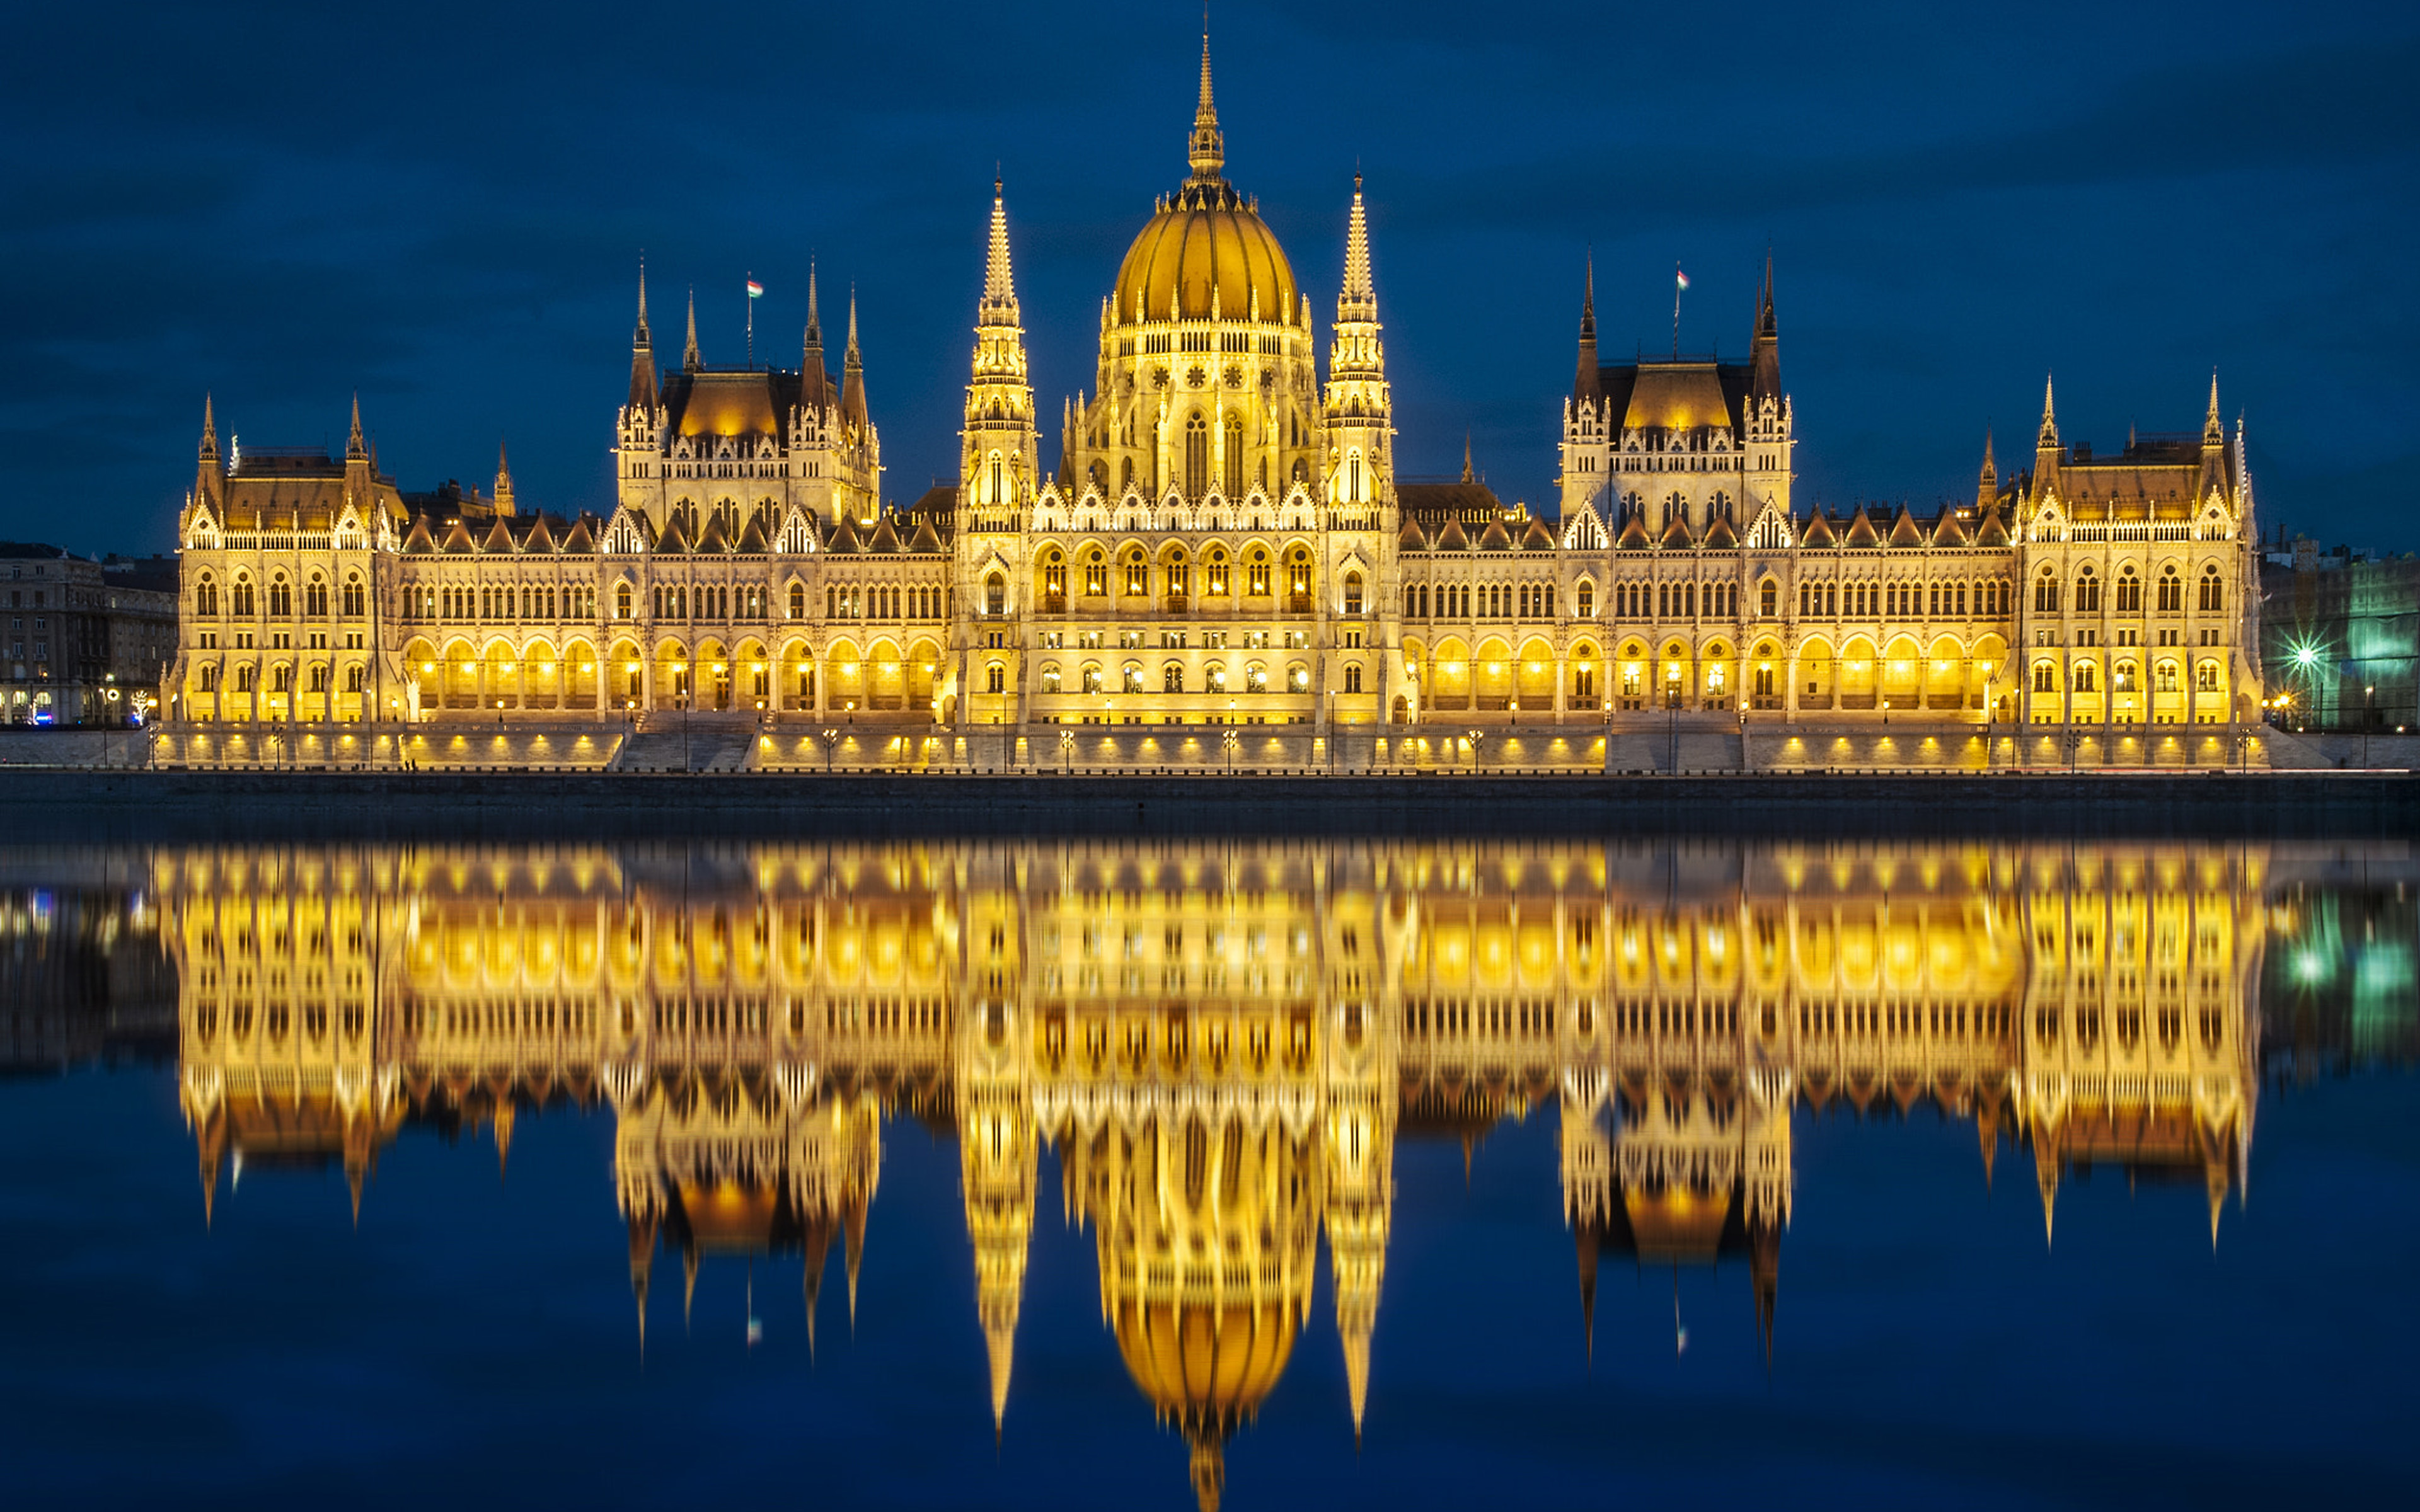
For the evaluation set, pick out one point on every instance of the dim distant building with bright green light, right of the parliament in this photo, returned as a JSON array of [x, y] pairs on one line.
[[2341, 637]]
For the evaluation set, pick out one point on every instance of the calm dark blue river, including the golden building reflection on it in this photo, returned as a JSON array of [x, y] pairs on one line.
[[1206, 1172]]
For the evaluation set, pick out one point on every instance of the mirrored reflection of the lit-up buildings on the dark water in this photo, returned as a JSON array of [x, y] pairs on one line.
[[1221, 1044]]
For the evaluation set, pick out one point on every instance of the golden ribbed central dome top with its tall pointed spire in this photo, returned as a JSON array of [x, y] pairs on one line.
[[1206, 246]]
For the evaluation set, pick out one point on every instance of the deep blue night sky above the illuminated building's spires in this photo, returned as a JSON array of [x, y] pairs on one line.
[[444, 209]]
